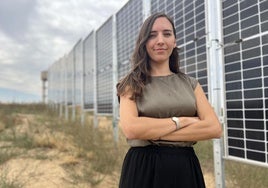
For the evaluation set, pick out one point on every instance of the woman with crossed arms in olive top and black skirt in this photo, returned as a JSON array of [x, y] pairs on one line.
[[163, 112]]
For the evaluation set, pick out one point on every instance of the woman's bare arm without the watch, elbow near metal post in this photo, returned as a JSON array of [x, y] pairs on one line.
[[207, 127]]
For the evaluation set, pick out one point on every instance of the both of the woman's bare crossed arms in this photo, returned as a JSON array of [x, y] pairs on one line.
[[205, 126]]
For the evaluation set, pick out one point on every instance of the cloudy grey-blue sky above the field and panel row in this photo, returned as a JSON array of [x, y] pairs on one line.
[[36, 33]]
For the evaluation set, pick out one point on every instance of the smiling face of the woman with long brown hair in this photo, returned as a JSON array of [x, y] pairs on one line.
[[161, 41]]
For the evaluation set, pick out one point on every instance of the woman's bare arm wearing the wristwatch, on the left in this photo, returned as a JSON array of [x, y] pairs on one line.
[[143, 128]]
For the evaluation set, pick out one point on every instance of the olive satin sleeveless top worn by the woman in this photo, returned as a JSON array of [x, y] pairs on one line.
[[165, 97]]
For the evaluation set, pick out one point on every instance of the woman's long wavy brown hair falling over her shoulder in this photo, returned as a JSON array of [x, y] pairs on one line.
[[139, 75]]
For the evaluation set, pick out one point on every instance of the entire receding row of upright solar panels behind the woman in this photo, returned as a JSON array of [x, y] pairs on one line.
[[245, 36]]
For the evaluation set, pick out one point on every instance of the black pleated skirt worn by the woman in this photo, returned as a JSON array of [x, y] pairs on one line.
[[161, 167]]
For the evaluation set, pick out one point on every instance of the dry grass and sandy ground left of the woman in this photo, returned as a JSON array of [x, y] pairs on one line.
[[88, 156]]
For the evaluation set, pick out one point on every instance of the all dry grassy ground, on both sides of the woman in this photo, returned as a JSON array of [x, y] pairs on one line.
[[36, 145]]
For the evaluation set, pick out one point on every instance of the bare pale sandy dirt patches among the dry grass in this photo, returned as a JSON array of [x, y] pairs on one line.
[[44, 167]]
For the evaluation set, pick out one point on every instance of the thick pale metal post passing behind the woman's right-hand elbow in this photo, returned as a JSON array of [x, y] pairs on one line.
[[215, 80]]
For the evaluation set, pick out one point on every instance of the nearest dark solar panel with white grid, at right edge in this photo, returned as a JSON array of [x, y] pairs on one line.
[[245, 25]]
